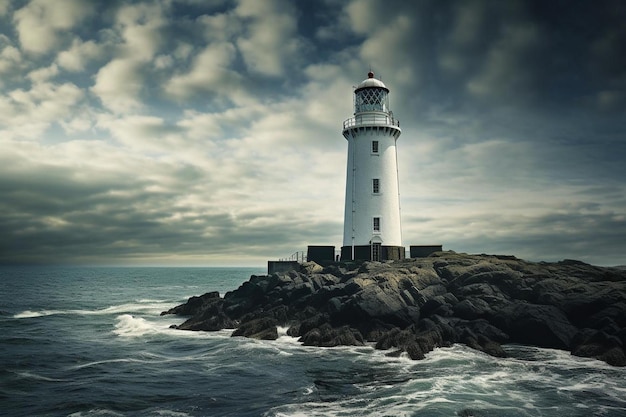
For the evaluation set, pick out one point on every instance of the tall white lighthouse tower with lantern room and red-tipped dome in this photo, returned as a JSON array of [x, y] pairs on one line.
[[372, 229]]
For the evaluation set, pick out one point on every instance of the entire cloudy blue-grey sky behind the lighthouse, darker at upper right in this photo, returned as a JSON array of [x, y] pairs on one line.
[[189, 132]]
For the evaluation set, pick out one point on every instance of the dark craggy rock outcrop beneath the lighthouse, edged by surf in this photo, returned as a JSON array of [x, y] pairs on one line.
[[415, 305]]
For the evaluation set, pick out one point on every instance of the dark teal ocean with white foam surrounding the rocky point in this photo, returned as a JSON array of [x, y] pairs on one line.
[[89, 341]]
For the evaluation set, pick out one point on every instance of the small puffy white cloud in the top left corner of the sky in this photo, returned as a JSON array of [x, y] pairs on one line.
[[41, 24]]
